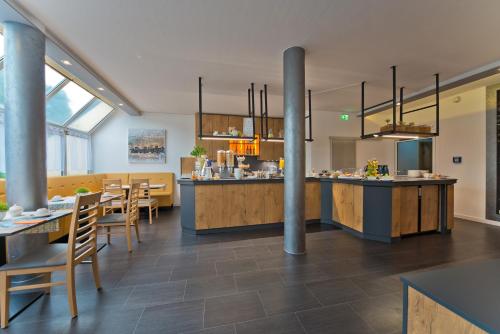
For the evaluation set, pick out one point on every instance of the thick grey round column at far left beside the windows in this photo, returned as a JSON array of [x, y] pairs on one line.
[[25, 141]]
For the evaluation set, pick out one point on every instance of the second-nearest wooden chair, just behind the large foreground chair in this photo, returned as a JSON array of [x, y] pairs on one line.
[[123, 220]]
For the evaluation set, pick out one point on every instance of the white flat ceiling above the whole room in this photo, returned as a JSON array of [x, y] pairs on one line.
[[153, 51]]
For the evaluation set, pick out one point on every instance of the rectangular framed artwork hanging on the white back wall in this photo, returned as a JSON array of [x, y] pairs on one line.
[[147, 146]]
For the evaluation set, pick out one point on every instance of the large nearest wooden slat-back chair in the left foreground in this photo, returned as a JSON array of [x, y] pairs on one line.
[[82, 244]]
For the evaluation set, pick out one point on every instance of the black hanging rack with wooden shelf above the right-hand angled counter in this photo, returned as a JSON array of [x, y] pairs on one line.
[[394, 132]]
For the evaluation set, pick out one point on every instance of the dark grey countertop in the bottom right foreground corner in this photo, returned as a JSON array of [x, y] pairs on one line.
[[471, 290]]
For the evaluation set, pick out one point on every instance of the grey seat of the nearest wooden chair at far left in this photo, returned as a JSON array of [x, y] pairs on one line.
[[47, 256]]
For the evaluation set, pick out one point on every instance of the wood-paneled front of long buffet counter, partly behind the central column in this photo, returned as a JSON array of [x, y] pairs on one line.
[[210, 206]]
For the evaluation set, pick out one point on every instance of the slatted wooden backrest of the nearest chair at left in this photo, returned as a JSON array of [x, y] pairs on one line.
[[83, 221]]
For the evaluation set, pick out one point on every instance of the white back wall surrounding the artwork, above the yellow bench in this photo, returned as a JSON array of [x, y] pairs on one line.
[[110, 142]]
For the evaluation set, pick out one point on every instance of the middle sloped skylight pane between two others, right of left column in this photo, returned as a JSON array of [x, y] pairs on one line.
[[66, 102]]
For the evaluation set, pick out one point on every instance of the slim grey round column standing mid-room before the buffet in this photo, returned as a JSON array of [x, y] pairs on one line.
[[294, 110]]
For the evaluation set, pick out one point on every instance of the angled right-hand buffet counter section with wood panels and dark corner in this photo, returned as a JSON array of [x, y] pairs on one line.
[[387, 210]]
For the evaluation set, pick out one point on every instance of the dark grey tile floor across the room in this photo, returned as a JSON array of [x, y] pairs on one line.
[[242, 282]]
